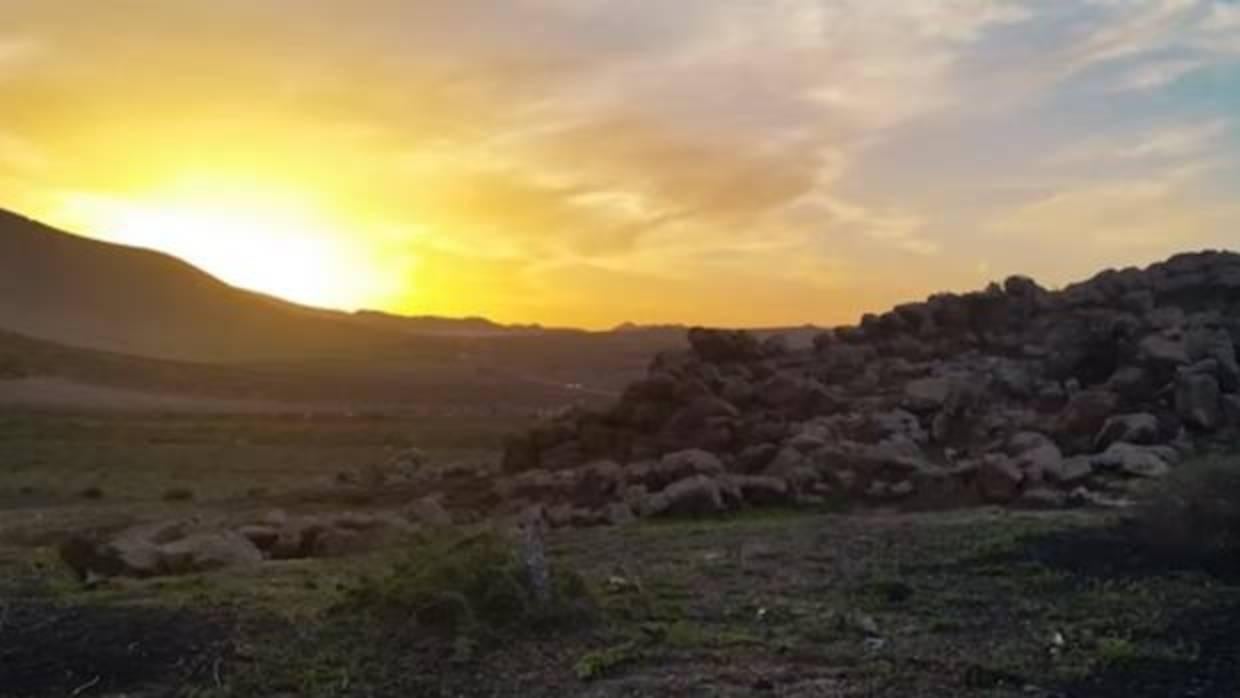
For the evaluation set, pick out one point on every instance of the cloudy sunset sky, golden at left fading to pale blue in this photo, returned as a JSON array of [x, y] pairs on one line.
[[587, 163]]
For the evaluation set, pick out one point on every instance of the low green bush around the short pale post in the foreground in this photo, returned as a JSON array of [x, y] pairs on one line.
[[480, 583]]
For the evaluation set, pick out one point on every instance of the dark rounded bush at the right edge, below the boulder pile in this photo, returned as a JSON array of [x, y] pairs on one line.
[[1196, 515]]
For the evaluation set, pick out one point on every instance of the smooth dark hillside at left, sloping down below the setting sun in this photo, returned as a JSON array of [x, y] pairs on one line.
[[77, 292]]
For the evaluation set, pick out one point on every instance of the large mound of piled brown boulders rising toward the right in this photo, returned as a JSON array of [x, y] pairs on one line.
[[1014, 396]]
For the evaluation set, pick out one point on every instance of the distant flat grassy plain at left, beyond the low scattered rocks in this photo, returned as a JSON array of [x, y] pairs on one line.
[[139, 458]]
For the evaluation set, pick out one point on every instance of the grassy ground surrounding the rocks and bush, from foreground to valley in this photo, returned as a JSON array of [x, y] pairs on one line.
[[776, 603]]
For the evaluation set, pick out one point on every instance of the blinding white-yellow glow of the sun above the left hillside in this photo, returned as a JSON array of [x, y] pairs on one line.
[[259, 239]]
